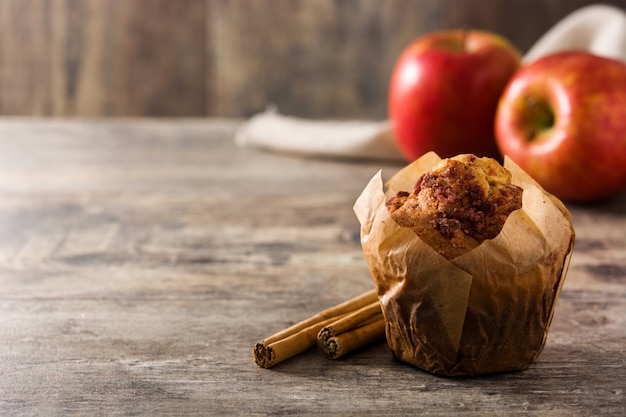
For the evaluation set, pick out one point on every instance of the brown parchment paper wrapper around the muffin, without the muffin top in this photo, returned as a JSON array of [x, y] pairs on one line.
[[486, 311]]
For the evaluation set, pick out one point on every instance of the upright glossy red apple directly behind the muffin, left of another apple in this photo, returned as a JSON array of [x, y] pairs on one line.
[[444, 92]]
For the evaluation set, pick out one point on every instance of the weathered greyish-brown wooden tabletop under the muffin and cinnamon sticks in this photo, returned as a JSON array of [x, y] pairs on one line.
[[140, 261]]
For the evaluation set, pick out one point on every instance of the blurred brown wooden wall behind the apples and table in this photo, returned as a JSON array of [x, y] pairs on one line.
[[229, 58]]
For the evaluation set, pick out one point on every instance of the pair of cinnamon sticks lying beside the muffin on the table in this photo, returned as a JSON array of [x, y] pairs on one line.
[[336, 331]]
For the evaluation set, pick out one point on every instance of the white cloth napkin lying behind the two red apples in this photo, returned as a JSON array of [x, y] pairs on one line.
[[599, 29]]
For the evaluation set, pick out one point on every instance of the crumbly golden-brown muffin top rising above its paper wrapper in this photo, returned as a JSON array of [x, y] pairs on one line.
[[461, 202]]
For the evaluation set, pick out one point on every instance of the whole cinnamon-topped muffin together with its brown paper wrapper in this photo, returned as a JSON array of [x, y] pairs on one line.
[[468, 257]]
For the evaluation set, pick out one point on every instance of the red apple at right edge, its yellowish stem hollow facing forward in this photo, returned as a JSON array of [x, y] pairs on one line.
[[562, 119]]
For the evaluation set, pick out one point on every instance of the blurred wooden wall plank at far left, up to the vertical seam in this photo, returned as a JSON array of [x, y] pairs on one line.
[[101, 58]]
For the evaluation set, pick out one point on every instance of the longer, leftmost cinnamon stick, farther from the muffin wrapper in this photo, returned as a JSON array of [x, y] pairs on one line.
[[303, 335]]
